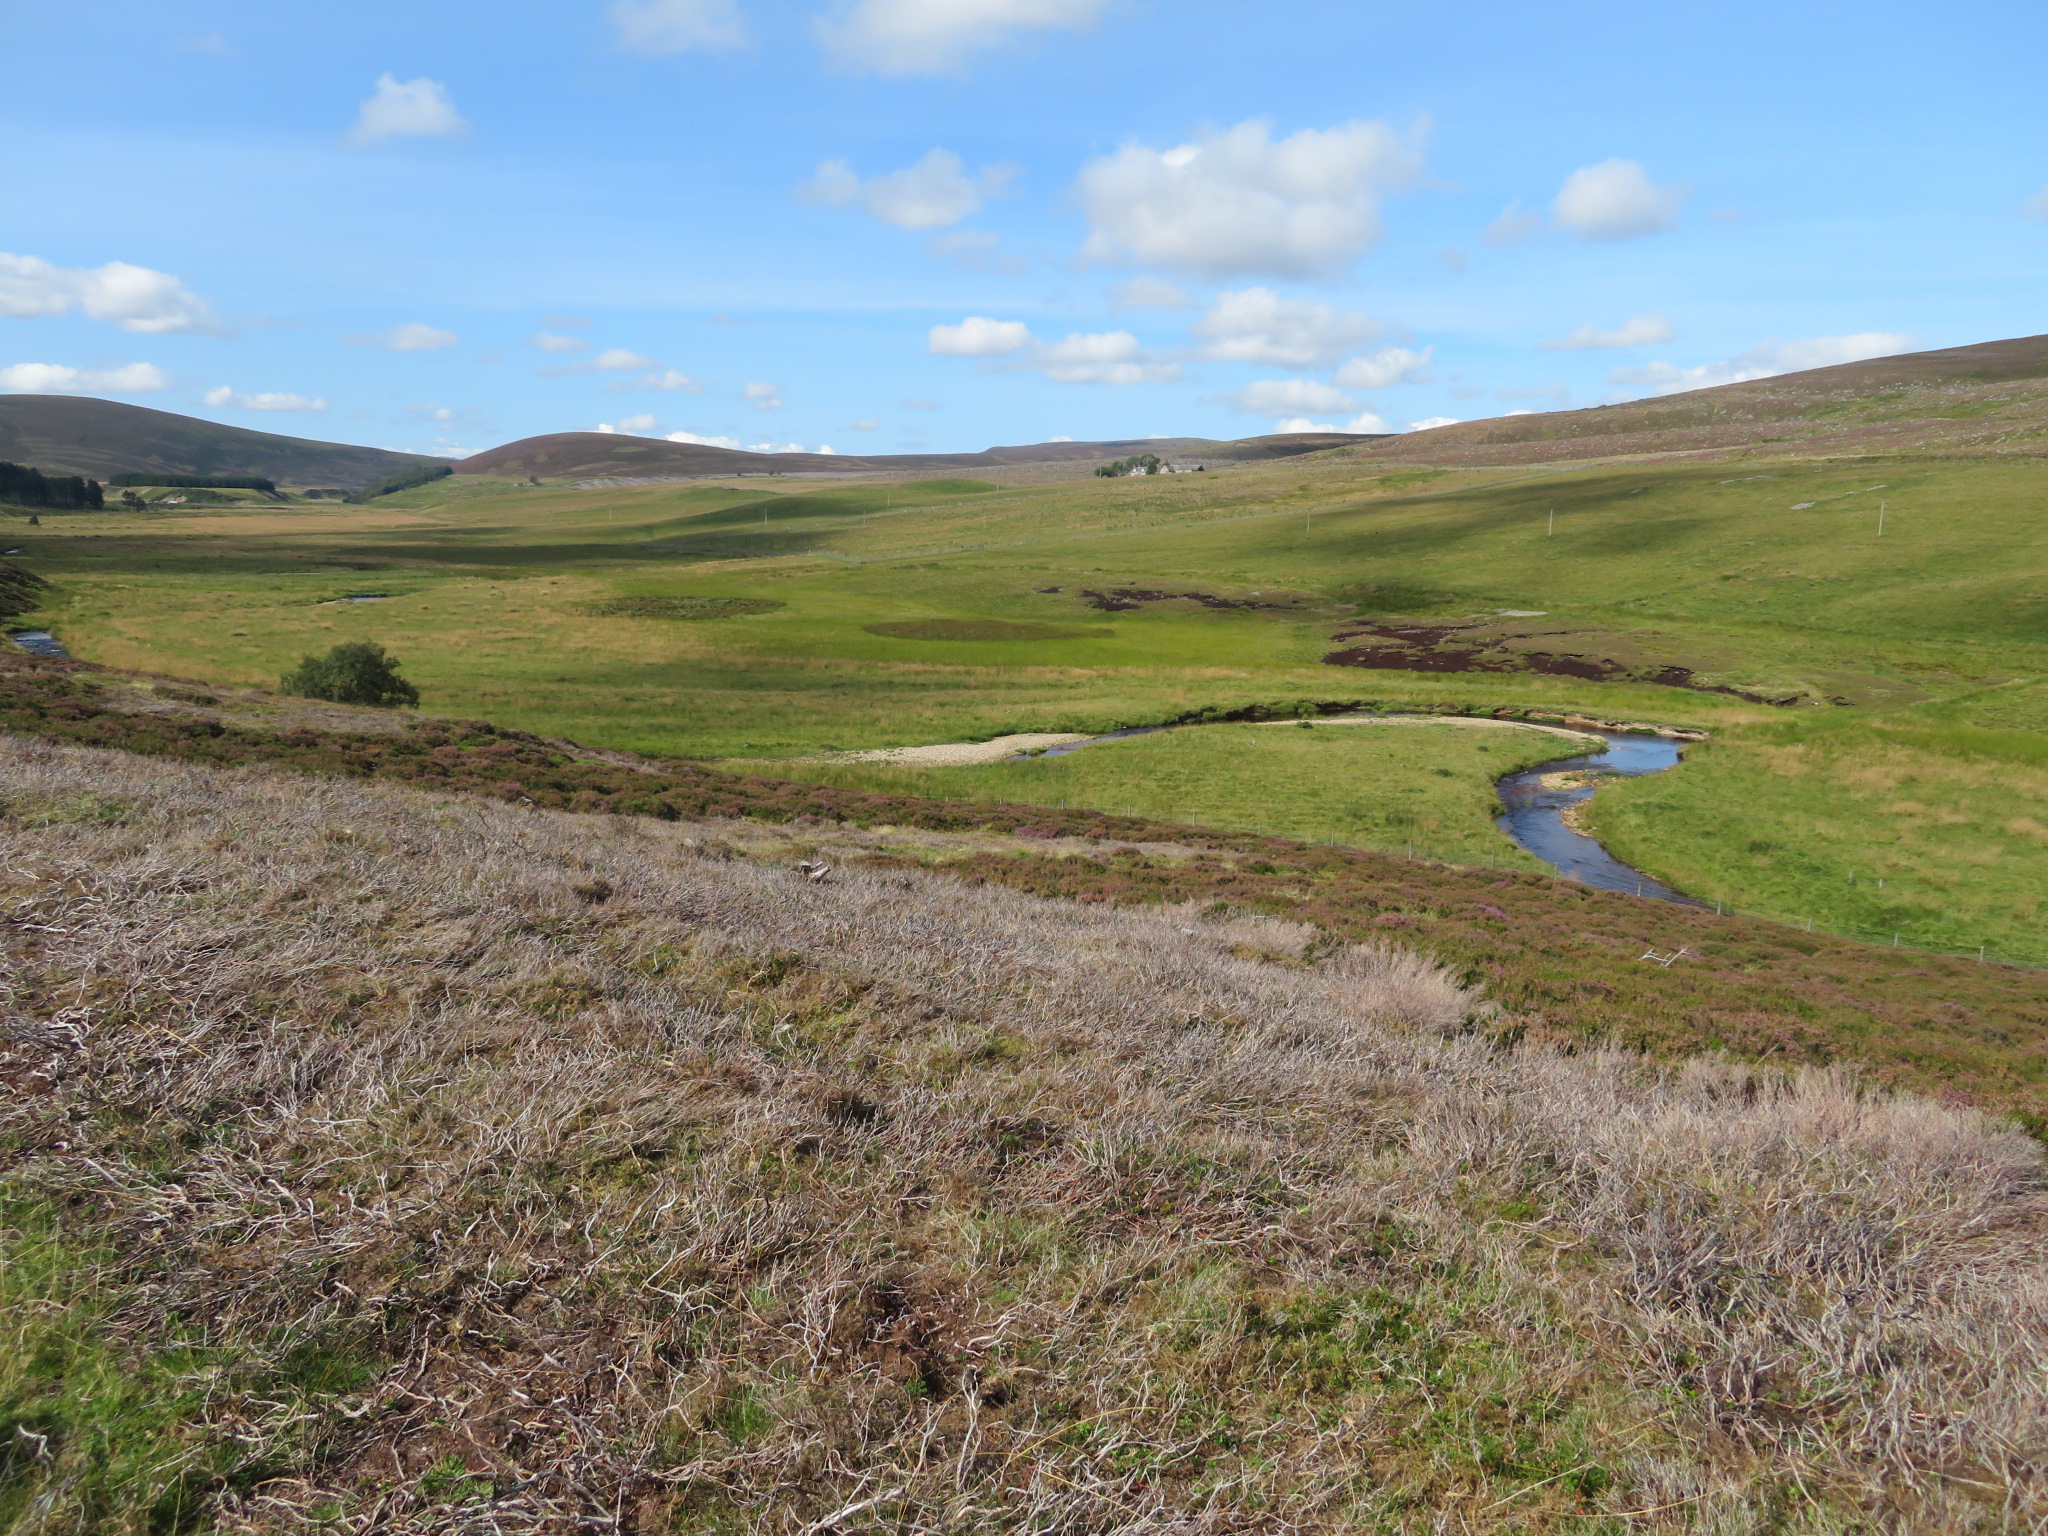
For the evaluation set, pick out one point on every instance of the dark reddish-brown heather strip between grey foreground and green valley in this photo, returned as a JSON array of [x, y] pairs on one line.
[[1564, 962]]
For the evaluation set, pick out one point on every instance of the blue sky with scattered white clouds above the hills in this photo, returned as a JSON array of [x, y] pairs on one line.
[[947, 224]]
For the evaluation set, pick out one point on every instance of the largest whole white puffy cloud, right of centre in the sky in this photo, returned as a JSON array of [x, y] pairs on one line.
[[1240, 204]]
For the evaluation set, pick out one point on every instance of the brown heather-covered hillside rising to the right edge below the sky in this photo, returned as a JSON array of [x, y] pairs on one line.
[[1988, 398]]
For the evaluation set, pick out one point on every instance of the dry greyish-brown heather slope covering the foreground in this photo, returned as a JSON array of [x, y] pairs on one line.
[[673, 1193]]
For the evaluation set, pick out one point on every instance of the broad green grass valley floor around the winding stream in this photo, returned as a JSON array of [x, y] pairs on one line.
[[947, 611]]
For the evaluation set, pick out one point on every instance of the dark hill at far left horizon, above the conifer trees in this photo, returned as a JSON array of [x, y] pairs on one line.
[[69, 435]]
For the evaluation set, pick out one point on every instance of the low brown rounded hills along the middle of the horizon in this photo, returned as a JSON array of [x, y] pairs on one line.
[[615, 456]]
